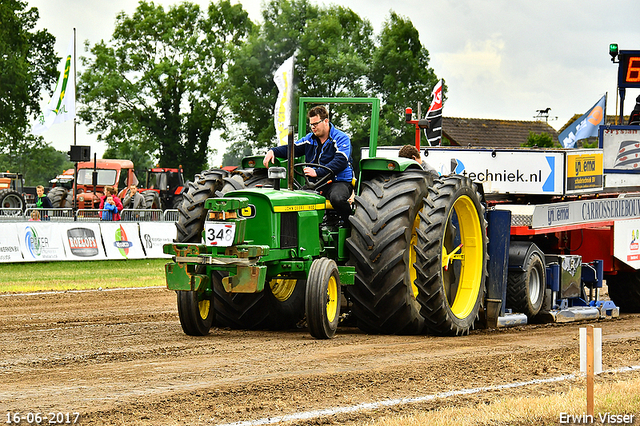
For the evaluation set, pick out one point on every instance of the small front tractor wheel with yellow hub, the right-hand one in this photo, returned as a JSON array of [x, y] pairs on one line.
[[322, 301]]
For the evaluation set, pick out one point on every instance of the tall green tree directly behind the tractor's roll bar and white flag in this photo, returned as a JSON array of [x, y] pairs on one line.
[[333, 47]]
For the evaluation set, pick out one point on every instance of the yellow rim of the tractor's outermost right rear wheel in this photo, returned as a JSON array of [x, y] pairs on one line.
[[469, 253]]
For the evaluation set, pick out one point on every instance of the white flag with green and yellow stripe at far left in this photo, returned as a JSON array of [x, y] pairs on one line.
[[62, 106]]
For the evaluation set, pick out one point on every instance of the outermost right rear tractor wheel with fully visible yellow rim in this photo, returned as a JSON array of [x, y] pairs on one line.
[[451, 261]]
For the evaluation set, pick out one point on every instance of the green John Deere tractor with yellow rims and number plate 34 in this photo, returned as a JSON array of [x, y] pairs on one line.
[[261, 249]]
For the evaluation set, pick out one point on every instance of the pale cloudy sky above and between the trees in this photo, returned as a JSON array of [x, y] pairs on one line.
[[501, 59]]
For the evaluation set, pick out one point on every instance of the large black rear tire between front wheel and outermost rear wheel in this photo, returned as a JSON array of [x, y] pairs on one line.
[[381, 248]]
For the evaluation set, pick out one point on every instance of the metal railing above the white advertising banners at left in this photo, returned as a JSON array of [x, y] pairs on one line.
[[85, 215]]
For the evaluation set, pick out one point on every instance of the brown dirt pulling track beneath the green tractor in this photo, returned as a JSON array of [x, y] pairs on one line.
[[120, 357]]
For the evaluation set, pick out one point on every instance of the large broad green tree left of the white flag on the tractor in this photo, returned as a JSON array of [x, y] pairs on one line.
[[160, 84]]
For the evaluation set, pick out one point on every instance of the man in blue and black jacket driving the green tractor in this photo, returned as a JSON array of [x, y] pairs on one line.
[[329, 147]]
